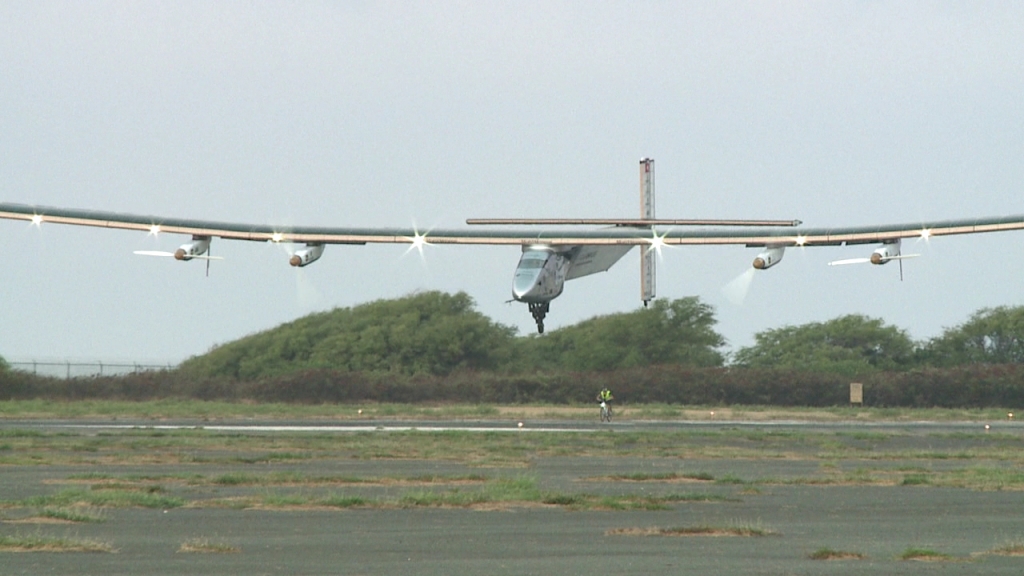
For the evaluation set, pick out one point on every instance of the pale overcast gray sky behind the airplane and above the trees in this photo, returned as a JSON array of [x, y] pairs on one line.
[[402, 113]]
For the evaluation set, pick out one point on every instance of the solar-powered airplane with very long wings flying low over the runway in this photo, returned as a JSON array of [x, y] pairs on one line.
[[553, 251]]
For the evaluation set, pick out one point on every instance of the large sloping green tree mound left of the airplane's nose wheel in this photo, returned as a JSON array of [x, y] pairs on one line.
[[426, 334]]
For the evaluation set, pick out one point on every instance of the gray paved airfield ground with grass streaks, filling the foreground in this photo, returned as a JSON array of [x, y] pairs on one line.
[[778, 489]]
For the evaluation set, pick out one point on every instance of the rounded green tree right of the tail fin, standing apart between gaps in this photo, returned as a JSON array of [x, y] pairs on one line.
[[849, 345]]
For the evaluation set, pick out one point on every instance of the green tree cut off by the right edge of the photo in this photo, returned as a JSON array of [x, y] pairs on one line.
[[991, 337]]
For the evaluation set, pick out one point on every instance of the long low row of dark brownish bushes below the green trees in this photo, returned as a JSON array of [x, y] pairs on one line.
[[978, 386]]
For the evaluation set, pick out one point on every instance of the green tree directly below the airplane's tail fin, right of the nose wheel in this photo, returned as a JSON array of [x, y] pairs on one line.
[[678, 332]]
